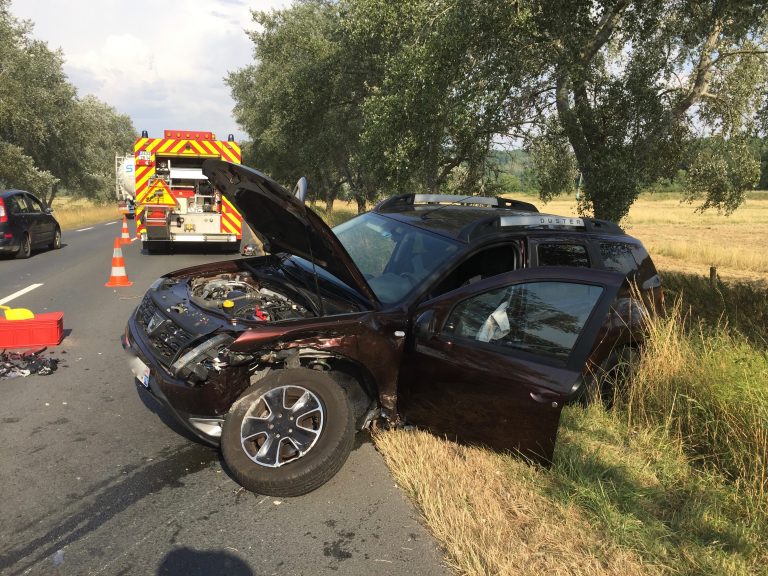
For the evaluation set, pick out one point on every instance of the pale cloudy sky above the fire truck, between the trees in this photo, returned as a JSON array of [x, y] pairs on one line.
[[162, 63]]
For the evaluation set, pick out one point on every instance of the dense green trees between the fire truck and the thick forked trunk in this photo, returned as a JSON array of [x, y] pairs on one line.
[[376, 97]]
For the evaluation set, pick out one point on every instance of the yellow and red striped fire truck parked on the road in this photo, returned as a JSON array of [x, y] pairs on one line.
[[175, 202]]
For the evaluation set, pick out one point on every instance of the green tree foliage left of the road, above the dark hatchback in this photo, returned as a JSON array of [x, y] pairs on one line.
[[50, 139]]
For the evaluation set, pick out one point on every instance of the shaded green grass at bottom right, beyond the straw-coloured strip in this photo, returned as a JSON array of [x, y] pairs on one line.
[[639, 487]]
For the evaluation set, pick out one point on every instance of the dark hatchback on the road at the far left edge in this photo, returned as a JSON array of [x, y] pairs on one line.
[[26, 223]]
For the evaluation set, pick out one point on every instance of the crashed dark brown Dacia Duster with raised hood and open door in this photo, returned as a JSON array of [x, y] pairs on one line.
[[474, 317]]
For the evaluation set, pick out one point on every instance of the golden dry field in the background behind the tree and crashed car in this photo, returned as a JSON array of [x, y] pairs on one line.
[[683, 240]]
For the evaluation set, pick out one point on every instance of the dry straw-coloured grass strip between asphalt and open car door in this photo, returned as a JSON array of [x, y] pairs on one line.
[[491, 515]]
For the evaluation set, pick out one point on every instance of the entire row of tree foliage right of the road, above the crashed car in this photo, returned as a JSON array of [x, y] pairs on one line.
[[379, 97]]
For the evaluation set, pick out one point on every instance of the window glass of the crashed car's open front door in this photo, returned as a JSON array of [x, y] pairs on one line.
[[543, 318]]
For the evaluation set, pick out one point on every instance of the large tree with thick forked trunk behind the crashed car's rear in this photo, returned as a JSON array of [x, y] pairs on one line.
[[635, 83]]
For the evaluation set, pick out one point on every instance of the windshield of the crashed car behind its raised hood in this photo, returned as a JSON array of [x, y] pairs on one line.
[[395, 258]]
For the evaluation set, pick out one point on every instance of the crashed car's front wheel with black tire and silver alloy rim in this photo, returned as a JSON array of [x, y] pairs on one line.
[[301, 472]]
